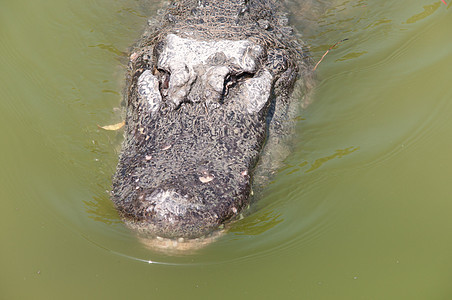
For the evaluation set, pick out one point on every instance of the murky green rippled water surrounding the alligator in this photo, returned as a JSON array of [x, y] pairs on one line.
[[361, 210]]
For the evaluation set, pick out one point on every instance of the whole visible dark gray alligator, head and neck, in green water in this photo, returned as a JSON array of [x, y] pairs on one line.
[[209, 92]]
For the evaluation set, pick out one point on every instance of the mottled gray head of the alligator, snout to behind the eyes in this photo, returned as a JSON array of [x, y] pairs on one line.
[[198, 114]]
